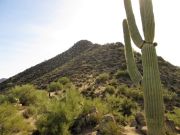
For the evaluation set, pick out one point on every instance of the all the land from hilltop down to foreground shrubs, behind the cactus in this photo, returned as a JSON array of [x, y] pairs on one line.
[[92, 84]]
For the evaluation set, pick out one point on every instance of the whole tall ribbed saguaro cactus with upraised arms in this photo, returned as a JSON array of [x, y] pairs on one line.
[[151, 83]]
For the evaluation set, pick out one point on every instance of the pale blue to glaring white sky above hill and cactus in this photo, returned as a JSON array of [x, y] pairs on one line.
[[32, 31]]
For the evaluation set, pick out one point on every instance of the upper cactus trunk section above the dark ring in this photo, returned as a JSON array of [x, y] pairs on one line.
[[147, 17]]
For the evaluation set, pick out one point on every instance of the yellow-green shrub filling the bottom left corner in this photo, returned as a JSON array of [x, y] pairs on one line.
[[11, 122]]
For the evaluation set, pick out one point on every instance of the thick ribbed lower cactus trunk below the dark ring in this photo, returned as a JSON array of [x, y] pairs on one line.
[[153, 99]]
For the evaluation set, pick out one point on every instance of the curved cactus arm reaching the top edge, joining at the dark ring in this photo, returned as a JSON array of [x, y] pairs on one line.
[[136, 37]]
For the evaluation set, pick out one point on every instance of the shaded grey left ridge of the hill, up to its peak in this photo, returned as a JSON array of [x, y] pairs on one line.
[[42, 68]]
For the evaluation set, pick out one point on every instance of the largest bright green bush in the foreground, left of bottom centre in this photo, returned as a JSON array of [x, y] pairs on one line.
[[61, 114]]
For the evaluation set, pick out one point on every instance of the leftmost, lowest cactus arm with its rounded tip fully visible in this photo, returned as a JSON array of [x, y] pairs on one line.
[[131, 65]]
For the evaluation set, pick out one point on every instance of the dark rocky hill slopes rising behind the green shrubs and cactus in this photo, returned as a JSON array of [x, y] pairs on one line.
[[86, 60]]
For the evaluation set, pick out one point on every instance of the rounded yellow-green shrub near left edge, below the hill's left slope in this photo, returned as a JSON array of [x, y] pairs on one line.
[[25, 93]]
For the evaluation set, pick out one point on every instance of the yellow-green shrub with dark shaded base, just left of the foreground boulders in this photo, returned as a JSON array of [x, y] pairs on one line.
[[92, 112]]
